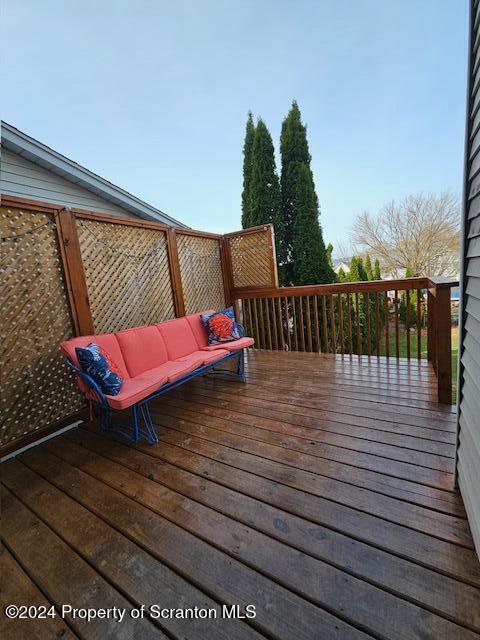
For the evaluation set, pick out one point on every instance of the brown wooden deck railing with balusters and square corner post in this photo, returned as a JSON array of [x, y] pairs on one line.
[[406, 318]]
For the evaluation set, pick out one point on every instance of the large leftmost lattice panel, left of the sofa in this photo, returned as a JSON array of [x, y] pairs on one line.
[[36, 387]]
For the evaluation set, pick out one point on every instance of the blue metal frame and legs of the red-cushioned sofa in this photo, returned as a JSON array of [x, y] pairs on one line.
[[140, 410]]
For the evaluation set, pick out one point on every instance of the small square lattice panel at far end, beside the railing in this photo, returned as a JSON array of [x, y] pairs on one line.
[[251, 259]]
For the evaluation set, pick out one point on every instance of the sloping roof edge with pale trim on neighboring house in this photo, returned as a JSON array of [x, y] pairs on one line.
[[40, 154]]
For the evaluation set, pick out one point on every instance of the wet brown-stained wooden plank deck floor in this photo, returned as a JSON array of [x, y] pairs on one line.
[[321, 492]]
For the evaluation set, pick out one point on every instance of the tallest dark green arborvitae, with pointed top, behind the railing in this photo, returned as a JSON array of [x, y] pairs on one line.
[[299, 200]]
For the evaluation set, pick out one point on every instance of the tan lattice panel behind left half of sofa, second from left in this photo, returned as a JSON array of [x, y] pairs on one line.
[[127, 274]]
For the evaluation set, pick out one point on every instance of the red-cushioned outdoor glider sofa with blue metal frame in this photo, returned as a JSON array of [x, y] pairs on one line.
[[151, 360]]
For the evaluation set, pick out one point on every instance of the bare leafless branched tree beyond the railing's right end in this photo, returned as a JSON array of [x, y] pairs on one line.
[[420, 233]]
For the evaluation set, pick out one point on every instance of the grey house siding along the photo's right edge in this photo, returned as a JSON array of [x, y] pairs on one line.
[[468, 464]]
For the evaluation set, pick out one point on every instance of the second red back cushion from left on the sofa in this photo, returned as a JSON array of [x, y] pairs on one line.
[[143, 348]]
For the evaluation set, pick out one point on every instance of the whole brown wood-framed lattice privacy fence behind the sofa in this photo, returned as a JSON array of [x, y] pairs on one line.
[[73, 272]]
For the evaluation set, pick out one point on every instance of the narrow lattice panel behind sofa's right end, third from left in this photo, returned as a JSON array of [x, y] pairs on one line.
[[201, 273]]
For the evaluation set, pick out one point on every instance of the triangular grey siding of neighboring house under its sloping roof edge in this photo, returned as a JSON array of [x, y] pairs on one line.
[[22, 178]]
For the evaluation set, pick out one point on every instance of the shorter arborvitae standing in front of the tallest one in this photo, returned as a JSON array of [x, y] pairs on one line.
[[308, 247]]
